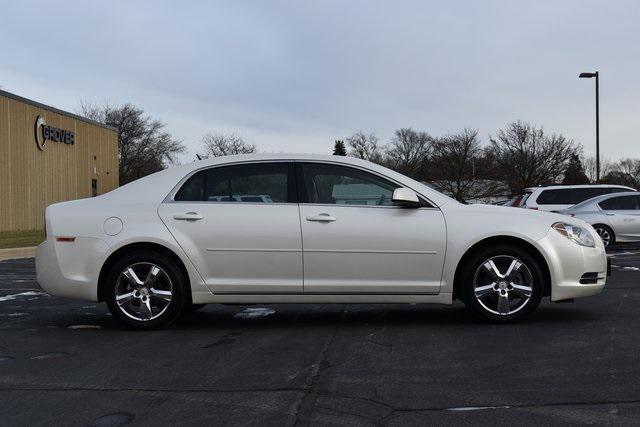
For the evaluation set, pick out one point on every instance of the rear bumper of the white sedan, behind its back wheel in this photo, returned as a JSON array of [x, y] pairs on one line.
[[70, 269]]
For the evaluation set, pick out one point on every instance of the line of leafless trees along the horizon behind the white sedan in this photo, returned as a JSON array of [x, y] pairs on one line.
[[518, 156]]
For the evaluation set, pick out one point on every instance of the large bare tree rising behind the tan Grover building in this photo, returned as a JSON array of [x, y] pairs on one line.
[[143, 146]]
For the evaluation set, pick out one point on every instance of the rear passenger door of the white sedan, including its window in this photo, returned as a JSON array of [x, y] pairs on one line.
[[240, 226]]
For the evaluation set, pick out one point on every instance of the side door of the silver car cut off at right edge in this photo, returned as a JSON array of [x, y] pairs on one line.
[[623, 214]]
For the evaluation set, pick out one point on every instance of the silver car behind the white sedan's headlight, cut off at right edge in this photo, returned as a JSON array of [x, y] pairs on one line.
[[616, 217]]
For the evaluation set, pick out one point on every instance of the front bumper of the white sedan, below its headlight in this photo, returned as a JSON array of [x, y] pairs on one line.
[[568, 262]]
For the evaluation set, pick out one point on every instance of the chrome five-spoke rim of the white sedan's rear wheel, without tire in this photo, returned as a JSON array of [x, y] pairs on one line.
[[143, 299]]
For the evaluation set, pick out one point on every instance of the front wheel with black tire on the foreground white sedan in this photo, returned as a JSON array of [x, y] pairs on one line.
[[530, 277]]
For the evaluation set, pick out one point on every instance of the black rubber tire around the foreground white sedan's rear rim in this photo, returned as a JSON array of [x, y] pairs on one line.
[[179, 290]]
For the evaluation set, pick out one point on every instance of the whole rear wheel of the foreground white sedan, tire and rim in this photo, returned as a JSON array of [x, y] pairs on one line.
[[145, 291]]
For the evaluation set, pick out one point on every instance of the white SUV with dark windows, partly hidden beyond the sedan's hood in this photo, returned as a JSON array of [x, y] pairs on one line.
[[558, 197]]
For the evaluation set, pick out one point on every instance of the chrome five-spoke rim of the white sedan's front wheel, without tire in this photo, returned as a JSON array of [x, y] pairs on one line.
[[503, 285]]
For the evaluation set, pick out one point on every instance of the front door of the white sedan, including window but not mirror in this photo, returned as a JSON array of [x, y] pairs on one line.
[[356, 242]]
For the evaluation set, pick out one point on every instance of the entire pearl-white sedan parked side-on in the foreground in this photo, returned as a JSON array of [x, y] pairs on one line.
[[307, 229]]
